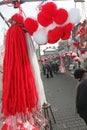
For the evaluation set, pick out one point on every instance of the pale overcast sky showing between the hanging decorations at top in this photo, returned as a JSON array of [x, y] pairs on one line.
[[30, 9]]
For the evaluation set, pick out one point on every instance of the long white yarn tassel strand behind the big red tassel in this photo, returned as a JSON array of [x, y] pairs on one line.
[[36, 70]]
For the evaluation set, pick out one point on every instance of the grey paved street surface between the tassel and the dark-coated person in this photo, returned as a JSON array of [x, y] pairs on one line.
[[60, 93]]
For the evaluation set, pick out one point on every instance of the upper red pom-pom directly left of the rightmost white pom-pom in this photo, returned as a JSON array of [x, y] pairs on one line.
[[61, 16]]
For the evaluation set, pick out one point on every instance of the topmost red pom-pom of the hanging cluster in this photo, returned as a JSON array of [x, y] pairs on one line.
[[49, 8]]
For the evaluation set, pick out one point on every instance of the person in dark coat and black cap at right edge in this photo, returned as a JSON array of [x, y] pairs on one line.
[[81, 93]]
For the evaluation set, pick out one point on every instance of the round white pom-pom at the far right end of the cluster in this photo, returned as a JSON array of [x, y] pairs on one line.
[[74, 15]]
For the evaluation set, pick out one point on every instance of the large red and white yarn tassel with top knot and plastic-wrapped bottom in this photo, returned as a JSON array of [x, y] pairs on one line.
[[20, 96]]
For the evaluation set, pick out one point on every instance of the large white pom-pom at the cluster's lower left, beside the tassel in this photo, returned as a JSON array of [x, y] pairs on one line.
[[40, 36]]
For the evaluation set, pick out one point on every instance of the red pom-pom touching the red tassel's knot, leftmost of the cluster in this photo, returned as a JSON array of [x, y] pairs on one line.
[[31, 25]]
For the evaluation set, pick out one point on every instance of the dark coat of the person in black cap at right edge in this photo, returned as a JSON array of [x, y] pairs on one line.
[[81, 99]]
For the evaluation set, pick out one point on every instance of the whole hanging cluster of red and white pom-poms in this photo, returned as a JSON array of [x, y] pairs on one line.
[[55, 23]]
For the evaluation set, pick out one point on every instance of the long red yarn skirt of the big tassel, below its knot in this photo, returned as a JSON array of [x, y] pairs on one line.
[[19, 90]]
